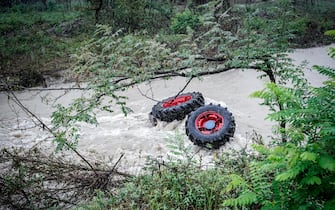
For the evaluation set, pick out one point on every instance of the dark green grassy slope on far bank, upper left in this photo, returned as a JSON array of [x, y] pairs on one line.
[[40, 41]]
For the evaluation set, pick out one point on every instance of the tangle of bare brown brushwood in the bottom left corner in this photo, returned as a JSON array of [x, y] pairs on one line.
[[51, 180]]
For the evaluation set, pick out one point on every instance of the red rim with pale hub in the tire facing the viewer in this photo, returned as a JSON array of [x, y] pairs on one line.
[[209, 122]]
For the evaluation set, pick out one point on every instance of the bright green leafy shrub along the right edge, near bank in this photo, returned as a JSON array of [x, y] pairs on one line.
[[305, 165]]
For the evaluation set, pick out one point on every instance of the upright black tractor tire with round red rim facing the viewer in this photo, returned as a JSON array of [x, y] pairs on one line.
[[210, 126]]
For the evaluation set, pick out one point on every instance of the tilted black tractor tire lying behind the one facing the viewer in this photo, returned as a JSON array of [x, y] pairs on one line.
[[177, 108]]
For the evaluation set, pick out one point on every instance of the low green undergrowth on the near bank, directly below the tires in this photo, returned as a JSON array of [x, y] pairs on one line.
[[182, 181]]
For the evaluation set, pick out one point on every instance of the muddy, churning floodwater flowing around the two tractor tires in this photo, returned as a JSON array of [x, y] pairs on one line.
[[133, 135]]
